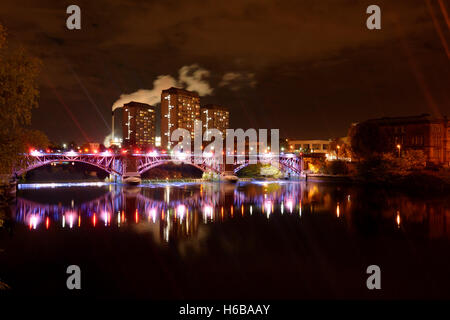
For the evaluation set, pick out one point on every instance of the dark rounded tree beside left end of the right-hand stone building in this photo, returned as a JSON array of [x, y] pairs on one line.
[[368, 140]]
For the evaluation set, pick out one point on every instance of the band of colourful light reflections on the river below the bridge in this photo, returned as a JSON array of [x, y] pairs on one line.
[[176, 210]]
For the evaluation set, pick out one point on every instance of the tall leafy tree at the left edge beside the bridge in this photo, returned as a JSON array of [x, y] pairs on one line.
[[18, 96]]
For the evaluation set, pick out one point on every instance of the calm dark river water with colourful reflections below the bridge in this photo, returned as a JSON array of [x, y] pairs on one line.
[[250, 240]]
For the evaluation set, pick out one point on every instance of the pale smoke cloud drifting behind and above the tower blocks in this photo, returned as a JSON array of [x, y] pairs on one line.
[[189, 77]]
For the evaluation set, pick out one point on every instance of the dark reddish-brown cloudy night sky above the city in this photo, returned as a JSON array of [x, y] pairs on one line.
[[307, 67]]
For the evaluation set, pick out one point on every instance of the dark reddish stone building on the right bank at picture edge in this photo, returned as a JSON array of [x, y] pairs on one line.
[[424, 132]]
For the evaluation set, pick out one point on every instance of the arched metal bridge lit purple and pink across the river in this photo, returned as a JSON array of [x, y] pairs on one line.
[[120, 165]]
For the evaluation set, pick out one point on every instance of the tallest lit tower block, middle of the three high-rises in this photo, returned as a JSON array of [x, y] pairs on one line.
[[179, 109]]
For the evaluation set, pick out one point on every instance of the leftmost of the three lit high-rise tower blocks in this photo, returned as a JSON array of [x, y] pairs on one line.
[[138, 125]]
